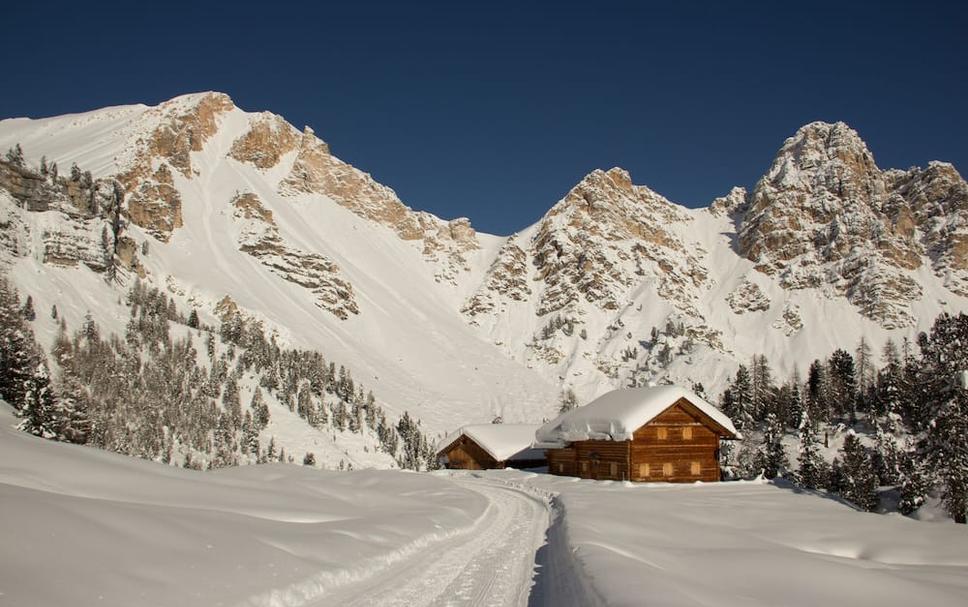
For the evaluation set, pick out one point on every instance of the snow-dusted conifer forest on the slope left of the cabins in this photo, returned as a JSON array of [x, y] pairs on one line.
[[178, 400]]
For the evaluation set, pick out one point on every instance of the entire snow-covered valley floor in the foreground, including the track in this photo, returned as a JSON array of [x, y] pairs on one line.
[[86, 527]]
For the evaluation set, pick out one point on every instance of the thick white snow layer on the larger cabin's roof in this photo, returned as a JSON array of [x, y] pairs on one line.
[[616, 415]]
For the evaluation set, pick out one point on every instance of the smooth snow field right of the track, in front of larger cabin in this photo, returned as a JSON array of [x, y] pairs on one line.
[[734, 545]]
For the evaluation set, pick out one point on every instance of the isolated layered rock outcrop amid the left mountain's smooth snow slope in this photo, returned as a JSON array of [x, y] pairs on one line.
[[259, 237]]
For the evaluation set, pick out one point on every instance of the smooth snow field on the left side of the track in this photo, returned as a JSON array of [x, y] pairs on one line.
[[82, 526]]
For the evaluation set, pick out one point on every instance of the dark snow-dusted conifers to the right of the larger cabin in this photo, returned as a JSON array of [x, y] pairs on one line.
[[913, 407]]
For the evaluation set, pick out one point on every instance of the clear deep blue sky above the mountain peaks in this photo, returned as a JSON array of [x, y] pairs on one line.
[[493, 110]]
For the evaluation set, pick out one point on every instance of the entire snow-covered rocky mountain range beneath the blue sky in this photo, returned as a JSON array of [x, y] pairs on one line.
[[615, 284]]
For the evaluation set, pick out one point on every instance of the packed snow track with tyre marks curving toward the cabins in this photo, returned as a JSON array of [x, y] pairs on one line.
[[492, 565]]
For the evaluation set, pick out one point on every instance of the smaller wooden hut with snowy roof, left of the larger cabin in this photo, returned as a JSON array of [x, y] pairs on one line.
[[488, 446]]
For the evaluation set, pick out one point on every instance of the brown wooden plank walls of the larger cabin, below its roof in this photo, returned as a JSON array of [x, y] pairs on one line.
[[680, 445]]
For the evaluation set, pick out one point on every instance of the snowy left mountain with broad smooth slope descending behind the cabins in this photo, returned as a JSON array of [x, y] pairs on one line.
[[313, 247]]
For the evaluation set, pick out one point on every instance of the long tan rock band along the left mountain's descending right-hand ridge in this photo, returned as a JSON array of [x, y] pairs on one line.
[[316, 171]]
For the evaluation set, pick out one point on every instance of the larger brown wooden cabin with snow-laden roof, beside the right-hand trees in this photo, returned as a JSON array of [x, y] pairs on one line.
[[657, 434]]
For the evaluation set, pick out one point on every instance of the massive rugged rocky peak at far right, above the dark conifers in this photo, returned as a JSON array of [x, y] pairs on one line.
[[826, 216]]
